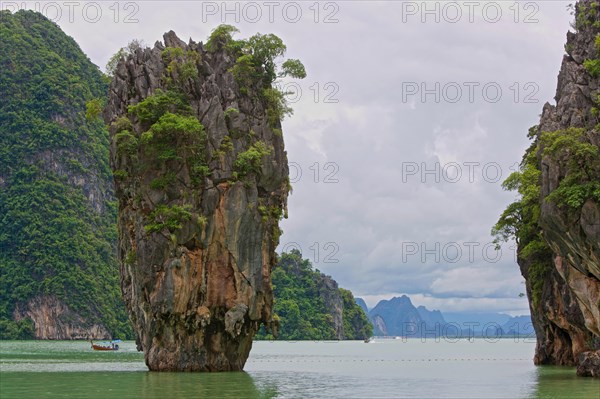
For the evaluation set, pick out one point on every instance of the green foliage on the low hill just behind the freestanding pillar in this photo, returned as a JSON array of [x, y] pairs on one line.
[[301, 309]]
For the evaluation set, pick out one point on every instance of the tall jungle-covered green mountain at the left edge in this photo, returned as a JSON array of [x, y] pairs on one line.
[[58, 269]]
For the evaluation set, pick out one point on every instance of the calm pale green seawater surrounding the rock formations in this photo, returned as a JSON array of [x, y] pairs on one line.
[[380, 369]]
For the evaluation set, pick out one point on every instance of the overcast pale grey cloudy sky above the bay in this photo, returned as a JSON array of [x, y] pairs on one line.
[[411, 116]]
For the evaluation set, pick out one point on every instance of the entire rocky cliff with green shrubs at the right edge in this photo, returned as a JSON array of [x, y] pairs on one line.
[[556, 221]]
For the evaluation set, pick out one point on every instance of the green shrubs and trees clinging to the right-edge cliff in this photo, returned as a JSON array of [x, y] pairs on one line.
[[521, 219]]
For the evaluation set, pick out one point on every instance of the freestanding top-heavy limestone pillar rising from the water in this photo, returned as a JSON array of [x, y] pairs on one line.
[[196, 238]]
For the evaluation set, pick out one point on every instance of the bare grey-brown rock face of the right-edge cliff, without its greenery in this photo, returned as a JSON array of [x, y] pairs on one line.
[[567, 317]]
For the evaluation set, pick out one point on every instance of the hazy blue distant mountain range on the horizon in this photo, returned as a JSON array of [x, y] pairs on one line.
[[399, 317]]
